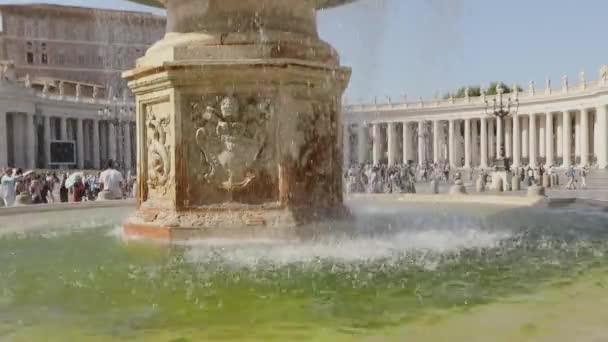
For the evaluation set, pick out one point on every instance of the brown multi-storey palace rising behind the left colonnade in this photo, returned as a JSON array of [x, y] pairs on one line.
[[75, 45]]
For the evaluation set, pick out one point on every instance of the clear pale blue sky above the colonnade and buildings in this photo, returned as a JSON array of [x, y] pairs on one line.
[[419, 47]]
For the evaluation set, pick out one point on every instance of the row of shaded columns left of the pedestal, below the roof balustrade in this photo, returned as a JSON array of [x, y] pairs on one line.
[[25, 140]]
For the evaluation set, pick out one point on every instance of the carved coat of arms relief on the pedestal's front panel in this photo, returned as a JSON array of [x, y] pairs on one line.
[[232, 135]]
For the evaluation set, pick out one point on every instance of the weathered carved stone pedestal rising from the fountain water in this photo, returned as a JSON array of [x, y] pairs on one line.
[[238, 122]]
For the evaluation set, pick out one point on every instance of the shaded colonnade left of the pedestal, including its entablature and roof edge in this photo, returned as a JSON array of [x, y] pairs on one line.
[[30, 120]]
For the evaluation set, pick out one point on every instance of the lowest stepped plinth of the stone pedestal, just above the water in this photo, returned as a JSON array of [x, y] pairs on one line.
[[234, 223]]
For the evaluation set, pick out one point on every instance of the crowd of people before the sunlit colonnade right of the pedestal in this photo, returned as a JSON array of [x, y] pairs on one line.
[[368, 178]]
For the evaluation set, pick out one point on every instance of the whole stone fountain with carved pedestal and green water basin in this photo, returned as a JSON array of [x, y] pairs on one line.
[[422, 272]]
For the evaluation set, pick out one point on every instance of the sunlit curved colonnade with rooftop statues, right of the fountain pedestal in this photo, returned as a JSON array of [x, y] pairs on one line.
[[562, 126]]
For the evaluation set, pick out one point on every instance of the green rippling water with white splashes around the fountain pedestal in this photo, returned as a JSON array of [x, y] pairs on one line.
[[402, 267]]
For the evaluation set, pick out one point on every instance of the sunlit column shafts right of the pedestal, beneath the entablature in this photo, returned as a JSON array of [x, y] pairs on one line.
[[572, 136]]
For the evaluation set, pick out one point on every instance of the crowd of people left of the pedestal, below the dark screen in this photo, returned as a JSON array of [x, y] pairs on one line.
[[43, 187]]
